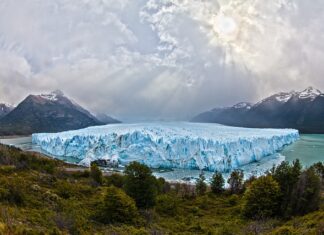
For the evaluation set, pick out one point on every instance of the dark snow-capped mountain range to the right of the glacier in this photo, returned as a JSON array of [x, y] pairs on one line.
[[300, 110]]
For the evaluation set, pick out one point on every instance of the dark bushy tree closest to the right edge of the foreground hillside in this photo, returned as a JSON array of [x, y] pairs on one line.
[[307, 193]]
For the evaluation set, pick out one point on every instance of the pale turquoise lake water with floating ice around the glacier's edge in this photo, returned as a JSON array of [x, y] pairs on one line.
[[309, 150]]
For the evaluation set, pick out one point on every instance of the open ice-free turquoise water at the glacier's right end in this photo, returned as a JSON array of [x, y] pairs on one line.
[[309, 150]]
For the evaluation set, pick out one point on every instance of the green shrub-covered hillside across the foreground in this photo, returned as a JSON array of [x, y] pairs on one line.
[[43, 196]]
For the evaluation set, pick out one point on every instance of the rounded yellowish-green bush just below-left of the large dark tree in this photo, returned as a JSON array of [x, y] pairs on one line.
[[117, 207]]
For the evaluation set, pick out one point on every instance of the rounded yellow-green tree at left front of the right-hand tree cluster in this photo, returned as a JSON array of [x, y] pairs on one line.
[[262, 198]]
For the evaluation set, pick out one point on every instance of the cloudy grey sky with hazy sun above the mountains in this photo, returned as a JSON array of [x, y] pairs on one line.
[[159, 59]]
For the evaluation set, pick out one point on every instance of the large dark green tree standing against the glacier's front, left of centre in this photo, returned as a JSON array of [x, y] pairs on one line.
[[140, 184]]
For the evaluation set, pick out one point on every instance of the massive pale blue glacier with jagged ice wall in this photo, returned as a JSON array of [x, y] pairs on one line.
[[181, 145]]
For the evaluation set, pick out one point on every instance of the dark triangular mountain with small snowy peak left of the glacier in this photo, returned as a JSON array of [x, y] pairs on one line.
[[52, 112]]
